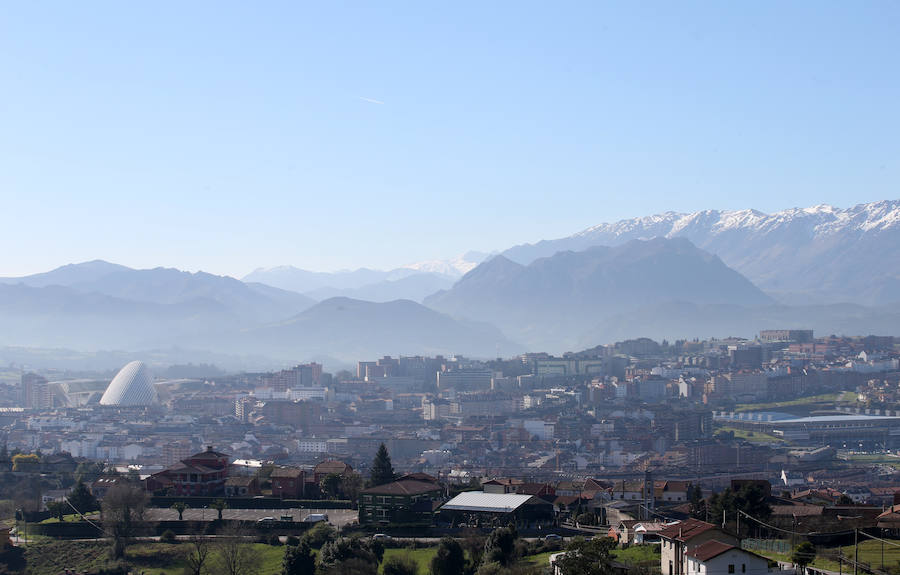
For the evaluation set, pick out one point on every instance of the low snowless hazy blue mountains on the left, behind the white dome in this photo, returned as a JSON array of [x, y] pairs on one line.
[[97, 305]]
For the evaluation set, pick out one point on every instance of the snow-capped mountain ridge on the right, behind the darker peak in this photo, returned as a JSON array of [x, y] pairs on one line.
[[799, 255]]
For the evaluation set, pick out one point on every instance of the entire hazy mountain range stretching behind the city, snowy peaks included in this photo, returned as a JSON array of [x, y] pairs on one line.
[[709, 273]]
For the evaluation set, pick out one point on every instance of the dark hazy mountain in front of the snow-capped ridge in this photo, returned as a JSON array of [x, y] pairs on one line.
[[550, 302]]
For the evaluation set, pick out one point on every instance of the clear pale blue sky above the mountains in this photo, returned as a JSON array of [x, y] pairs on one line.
[[226, 136]]
